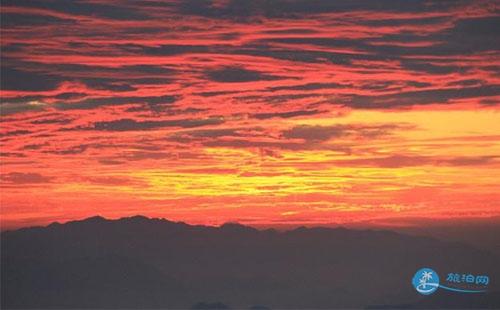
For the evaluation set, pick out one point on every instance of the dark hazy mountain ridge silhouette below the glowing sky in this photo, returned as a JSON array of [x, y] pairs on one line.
[[138, 262]]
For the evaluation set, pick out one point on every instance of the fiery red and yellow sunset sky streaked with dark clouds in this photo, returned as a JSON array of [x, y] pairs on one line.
[[260, 112]]
